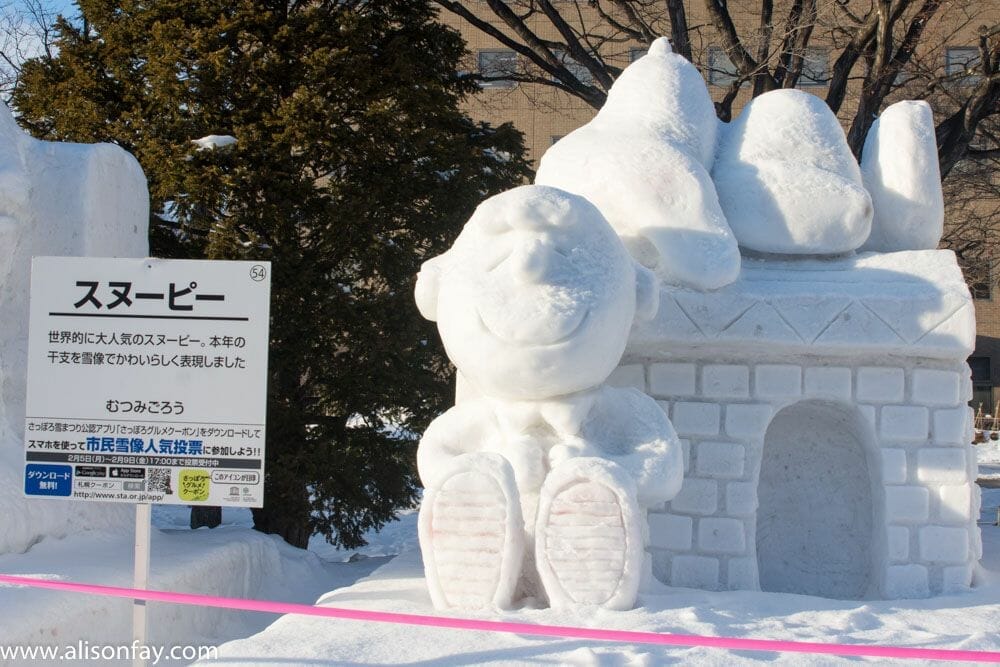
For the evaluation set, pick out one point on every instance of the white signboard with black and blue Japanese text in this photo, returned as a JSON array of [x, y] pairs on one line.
[[147, 381]]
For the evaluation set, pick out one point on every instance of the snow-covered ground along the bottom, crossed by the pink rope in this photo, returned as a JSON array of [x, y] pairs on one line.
[[234, 560]]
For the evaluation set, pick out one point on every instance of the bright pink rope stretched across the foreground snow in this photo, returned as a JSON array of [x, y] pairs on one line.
[[624, 636]]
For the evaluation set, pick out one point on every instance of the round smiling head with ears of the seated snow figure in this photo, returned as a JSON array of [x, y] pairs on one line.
[[537, 296]]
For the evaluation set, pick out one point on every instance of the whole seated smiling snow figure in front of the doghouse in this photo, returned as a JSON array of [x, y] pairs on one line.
[[538, 487]]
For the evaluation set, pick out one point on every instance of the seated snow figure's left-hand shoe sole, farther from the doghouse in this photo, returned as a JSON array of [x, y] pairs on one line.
[[472, 534]]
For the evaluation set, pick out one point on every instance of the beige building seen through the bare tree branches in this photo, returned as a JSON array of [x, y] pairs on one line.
[[545, 114]]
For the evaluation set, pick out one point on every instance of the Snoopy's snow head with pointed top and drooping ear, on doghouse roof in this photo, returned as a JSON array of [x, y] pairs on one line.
[[644, 161]]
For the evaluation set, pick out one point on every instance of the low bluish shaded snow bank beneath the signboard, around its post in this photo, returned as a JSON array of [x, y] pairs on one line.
[[231, 561]]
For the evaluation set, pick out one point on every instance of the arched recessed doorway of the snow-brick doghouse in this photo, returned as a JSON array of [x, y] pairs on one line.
[[814, 521]]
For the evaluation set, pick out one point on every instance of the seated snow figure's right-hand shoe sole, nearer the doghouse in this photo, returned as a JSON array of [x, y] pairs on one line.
[[588, 540]]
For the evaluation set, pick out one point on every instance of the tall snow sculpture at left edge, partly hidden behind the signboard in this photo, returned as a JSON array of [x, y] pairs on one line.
[[55, 199]]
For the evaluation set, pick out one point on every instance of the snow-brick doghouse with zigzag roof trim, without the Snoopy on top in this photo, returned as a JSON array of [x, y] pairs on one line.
[[822, 409]]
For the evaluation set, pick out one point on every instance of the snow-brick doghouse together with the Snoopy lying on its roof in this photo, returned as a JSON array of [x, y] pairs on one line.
[[820, 396]]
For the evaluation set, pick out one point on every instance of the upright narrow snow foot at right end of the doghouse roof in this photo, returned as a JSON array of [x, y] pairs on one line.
[[900, 168]]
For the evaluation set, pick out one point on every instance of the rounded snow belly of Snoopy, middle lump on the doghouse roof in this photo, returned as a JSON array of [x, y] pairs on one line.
[[787, 180]]
